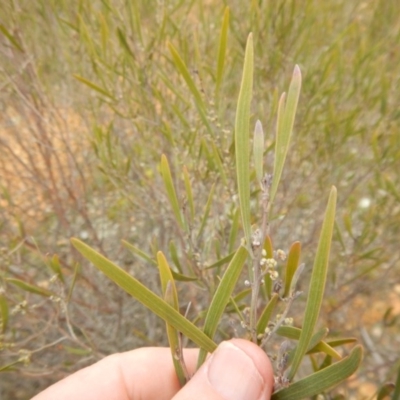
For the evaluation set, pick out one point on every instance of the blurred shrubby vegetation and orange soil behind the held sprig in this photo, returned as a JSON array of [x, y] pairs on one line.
[[91, 97]]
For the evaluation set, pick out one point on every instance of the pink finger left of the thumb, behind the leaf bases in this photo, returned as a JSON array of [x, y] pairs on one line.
[[142, 374]]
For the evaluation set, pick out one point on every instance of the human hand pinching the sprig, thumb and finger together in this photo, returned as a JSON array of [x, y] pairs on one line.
[[237, 370]]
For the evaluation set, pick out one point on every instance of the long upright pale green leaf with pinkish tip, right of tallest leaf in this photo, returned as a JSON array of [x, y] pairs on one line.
[[286, 115]]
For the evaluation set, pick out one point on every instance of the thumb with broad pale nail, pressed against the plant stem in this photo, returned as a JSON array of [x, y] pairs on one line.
[[237, 370]]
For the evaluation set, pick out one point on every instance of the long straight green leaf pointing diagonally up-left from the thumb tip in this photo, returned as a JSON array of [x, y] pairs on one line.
[[145, 296]]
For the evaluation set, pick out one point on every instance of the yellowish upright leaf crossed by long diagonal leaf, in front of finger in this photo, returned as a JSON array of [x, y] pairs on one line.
[[171, 297]]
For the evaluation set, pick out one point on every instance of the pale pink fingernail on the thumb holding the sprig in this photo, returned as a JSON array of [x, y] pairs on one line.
[[233, 374]]
